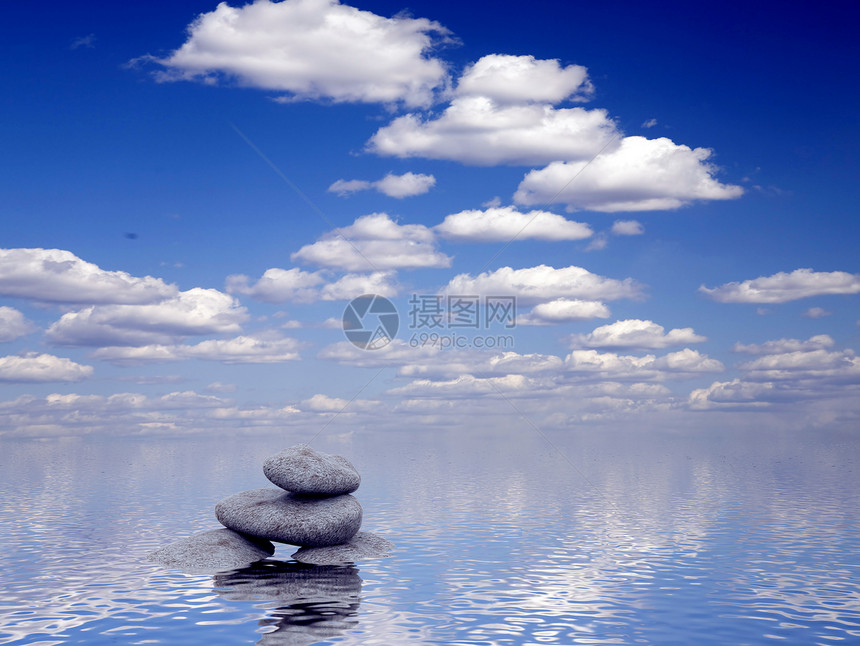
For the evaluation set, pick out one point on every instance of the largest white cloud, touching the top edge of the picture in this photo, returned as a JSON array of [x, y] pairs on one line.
[[312, 49]]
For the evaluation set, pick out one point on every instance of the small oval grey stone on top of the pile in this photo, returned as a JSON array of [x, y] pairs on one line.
[[303, 470]]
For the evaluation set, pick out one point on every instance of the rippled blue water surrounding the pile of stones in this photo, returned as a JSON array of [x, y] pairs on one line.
[[578, 538]]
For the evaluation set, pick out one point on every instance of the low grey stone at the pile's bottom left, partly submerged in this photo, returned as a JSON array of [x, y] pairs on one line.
[[213, 551]]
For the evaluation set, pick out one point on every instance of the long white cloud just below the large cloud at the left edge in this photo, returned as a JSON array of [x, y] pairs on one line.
[[196, 311]]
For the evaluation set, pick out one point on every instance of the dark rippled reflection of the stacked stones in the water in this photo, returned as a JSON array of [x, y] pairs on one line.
[[314, 602]]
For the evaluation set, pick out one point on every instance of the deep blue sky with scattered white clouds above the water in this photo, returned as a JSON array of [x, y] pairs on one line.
[[193, 193]]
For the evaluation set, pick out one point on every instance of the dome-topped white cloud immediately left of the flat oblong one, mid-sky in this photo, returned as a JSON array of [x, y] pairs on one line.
[[374, 242]]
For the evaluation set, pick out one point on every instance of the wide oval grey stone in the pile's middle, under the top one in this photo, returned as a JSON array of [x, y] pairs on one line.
[[277, 515]]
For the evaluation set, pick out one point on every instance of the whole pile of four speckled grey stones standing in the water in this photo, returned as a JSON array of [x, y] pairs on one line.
[[311, 508]]
